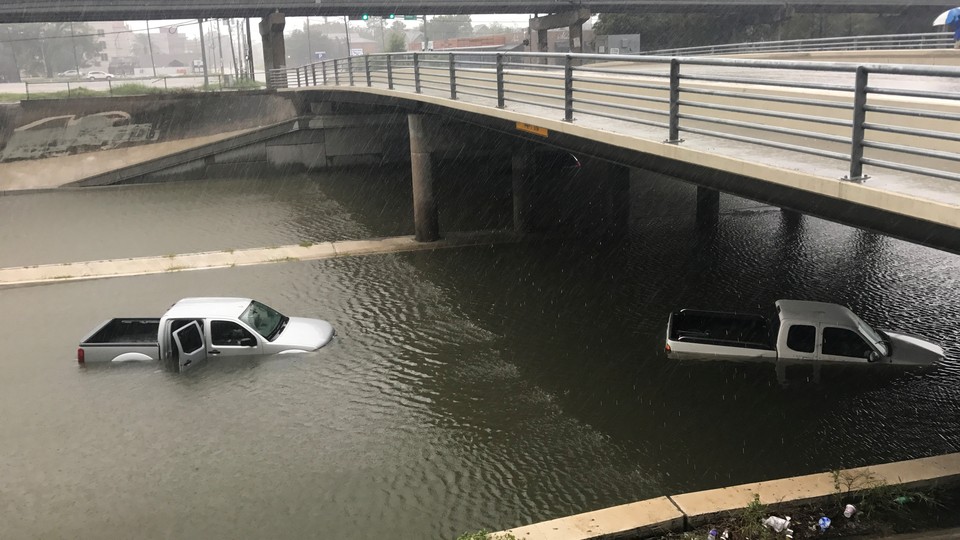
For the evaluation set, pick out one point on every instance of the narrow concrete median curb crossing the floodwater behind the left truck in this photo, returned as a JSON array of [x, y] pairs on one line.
[[84, 270]]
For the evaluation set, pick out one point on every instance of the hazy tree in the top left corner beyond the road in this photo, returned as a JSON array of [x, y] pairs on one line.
[[44, 49]]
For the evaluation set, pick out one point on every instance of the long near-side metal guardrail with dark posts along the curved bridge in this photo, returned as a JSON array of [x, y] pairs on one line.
[[905, 118]]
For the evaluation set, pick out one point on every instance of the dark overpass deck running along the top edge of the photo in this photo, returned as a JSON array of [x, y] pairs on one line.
[[14, 11]]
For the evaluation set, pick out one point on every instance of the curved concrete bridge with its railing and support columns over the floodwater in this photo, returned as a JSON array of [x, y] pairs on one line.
[[874, 146]]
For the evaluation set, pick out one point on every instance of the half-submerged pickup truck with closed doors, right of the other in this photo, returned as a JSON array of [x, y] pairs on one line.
[[809, 332]]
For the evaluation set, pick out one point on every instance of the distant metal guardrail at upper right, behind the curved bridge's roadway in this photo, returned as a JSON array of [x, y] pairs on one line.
[[932, 40]]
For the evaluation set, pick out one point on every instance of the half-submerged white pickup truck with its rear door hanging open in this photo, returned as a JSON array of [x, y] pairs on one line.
[[195, 328]]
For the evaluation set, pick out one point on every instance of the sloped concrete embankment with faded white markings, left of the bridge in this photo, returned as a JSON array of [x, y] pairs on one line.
[[190, 136]]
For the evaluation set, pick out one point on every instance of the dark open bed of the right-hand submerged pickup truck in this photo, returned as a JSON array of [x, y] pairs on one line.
[[719, 335]]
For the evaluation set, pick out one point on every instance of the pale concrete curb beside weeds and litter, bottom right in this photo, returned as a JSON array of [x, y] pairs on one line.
[[676, 513]]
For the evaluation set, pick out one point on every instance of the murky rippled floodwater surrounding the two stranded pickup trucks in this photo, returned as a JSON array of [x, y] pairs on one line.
[[475, 388]]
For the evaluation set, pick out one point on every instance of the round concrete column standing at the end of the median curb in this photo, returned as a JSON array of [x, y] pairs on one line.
[[426, 216]]
